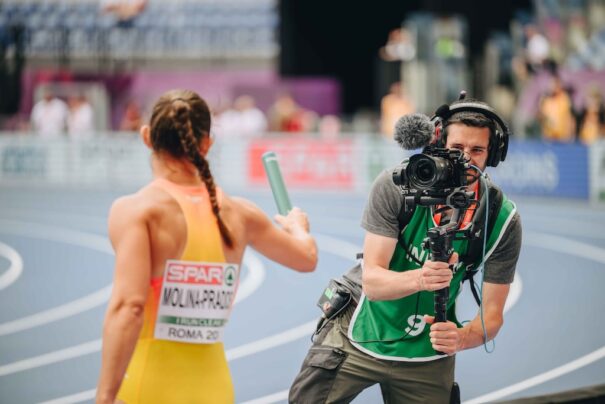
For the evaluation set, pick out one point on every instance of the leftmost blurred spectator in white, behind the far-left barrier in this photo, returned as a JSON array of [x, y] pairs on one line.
[[49, 116]]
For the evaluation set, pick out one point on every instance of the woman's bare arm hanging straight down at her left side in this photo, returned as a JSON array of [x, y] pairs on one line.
[[124, 317]]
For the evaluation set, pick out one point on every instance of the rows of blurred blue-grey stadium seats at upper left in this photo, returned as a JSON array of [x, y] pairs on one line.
[[179, 29]]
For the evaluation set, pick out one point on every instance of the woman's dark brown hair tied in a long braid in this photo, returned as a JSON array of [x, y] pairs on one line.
[[180, 119]]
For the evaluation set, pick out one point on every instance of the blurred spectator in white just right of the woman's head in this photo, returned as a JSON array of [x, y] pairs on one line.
[[244, 119]]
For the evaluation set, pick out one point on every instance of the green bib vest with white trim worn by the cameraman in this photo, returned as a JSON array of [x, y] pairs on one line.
[[384, 323]]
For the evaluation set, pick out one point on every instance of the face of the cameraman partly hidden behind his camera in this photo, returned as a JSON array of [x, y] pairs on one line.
[[473, 141]]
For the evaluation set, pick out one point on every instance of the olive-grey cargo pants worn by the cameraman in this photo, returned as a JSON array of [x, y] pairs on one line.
[[334, 371]]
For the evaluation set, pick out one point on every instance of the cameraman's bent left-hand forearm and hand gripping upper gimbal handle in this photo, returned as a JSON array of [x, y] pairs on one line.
[[379, 283]]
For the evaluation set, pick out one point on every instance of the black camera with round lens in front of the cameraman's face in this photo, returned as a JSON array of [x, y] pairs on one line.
[[435, 176]]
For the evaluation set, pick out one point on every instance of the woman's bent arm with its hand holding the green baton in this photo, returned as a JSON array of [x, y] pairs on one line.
[[291, 245]]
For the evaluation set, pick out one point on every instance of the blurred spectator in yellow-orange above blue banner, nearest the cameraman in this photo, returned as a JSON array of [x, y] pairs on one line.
[[556, 114]]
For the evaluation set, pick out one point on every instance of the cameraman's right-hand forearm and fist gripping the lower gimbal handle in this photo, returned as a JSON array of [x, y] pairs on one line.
[[447, 338]]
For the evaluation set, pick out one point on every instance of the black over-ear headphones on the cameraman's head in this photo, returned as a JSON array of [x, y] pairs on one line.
[[498, 143]]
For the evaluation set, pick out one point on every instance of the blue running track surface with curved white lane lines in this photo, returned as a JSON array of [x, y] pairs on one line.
[[51, 311]]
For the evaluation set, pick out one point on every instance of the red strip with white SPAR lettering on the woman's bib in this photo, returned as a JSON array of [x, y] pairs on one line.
[[198, 273]]
